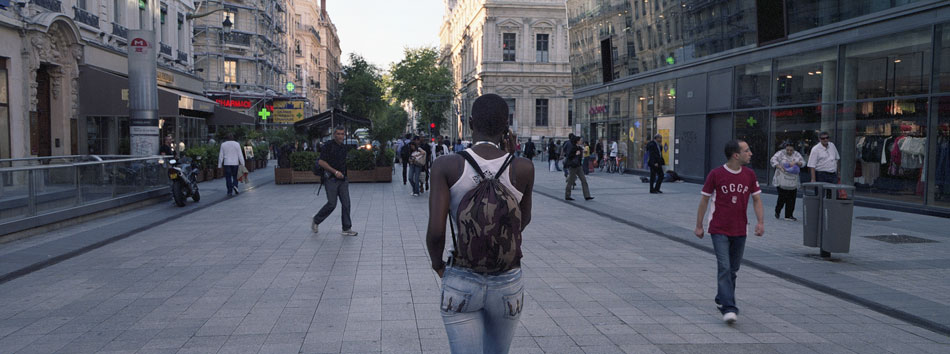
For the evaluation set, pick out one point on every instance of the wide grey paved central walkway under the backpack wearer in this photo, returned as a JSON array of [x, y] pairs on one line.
[[248, 276]]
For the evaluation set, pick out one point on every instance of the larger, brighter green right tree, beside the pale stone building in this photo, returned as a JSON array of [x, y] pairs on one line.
[[420, 80]]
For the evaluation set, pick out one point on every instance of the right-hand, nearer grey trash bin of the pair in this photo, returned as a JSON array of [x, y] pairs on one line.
[[837, 209]]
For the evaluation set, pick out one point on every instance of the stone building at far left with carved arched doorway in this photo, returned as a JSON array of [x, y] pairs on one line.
[[63, 75]]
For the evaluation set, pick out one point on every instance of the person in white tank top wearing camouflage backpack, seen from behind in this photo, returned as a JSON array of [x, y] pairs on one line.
[[486, 192]]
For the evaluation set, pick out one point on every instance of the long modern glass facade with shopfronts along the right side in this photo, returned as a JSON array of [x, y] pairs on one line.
[[884, 99]]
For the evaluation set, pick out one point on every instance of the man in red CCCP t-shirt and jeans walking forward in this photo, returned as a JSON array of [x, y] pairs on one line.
[[729, 187]]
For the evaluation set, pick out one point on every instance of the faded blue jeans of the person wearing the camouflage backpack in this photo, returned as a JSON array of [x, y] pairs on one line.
[[481, 312]]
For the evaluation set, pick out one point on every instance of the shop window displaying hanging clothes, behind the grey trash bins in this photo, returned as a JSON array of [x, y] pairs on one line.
[[883, 146]]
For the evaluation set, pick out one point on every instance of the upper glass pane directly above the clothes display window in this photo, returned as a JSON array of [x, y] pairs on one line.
[[896, 65]]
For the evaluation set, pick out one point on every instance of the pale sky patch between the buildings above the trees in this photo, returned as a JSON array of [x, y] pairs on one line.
[[379, 30]]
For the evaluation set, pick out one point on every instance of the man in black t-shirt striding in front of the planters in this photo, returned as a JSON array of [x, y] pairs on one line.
[[333, 160]]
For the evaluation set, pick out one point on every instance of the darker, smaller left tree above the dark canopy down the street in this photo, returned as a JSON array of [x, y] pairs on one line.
[[362, 88]]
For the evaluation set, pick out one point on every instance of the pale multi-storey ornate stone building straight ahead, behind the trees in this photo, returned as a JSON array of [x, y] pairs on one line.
[[516, 49]]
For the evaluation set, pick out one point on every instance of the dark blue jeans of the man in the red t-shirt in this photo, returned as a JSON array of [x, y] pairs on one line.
[[728, 258]]
